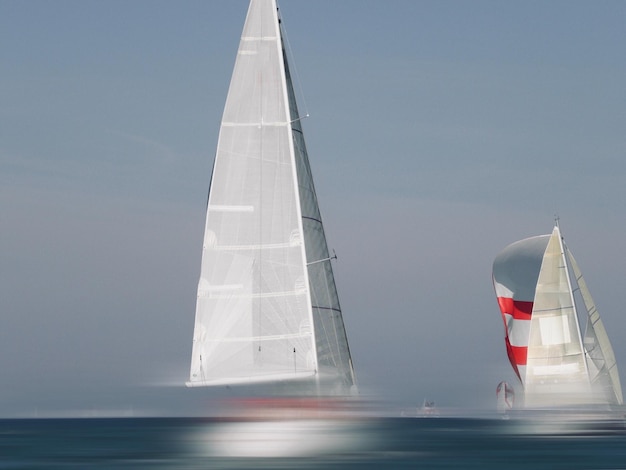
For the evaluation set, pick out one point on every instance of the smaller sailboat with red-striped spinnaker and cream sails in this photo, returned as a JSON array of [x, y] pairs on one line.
[[543, 299]]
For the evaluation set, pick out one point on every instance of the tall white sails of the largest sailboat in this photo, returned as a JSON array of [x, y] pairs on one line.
[[267, 307]]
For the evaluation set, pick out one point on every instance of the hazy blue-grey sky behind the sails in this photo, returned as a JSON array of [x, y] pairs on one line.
[[439, 132]]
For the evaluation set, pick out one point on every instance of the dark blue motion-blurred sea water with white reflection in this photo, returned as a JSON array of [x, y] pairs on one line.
[[362, 443]]
